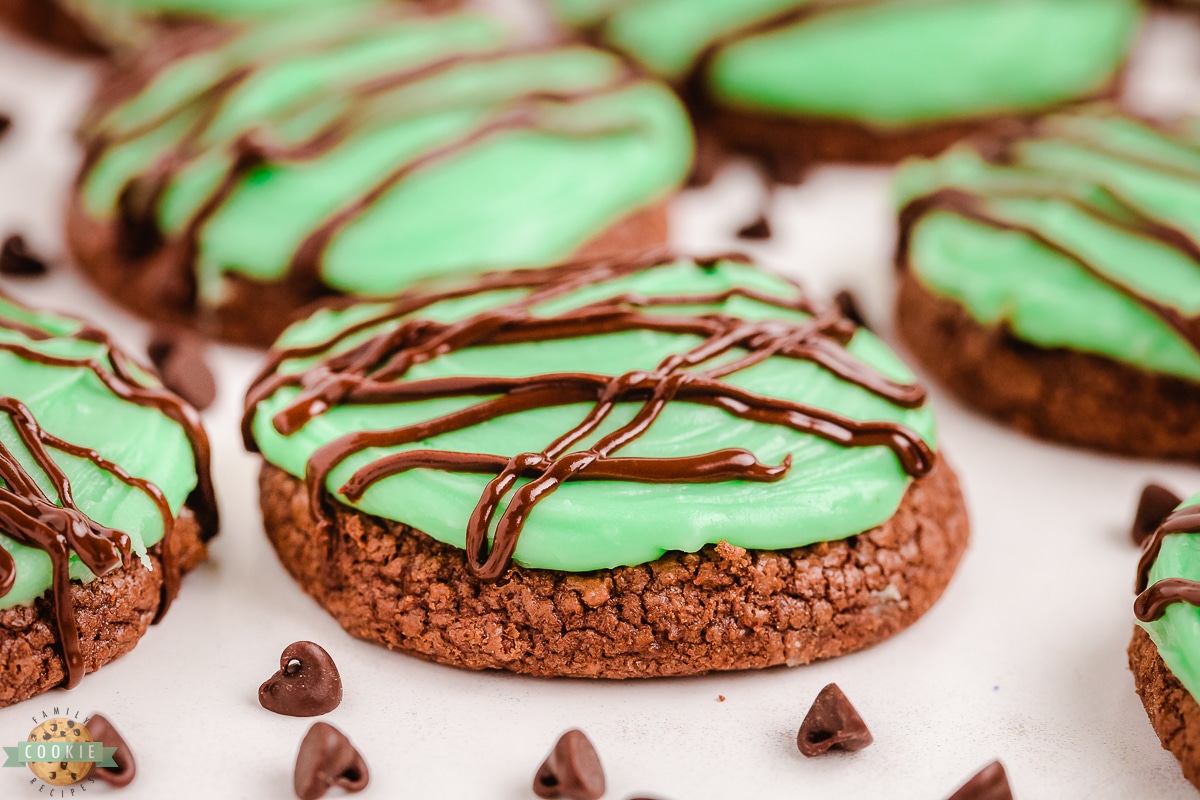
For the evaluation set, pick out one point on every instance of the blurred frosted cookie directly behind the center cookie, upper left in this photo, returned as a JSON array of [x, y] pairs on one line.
[[227, 185]]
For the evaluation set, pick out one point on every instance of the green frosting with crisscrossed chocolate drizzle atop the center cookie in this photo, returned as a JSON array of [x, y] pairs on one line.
[[597, 416]]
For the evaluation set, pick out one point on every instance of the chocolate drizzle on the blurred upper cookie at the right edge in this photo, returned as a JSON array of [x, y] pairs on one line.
[[1118, 212]]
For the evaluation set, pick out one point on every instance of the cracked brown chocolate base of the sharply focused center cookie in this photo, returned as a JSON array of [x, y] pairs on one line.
[[685, 615]]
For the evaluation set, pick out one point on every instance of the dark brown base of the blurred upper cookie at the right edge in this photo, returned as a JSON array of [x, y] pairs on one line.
[[1055, 394]]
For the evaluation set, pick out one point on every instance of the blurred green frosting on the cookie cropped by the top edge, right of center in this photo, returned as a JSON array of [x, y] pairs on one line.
[[886, 63]]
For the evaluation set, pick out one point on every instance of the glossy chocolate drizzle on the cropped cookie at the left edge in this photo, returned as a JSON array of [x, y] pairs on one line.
[[57, 526]]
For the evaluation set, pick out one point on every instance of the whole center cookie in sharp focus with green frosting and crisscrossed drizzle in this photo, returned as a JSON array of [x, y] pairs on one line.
[[614, 470]]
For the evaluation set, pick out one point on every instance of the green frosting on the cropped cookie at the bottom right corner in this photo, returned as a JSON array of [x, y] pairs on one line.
[[1178, 633]]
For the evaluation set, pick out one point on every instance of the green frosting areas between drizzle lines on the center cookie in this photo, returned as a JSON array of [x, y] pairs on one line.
[[831, 494]]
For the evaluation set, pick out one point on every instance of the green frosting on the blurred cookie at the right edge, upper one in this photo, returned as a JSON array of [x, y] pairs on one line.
[[1089, 183]]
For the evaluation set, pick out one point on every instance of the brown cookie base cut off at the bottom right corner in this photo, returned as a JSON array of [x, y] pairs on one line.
[[1172, 709]]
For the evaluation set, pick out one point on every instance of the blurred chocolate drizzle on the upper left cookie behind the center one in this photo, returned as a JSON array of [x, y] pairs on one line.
[[175, 260]]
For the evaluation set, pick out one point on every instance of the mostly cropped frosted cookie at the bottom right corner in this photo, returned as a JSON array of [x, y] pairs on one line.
[[1165, 654]]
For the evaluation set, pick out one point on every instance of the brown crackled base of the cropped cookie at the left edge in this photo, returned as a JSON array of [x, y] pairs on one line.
[[111, 612]]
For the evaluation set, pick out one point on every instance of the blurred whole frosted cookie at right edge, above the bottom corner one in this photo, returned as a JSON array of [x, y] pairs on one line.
[[1051, 278]]
